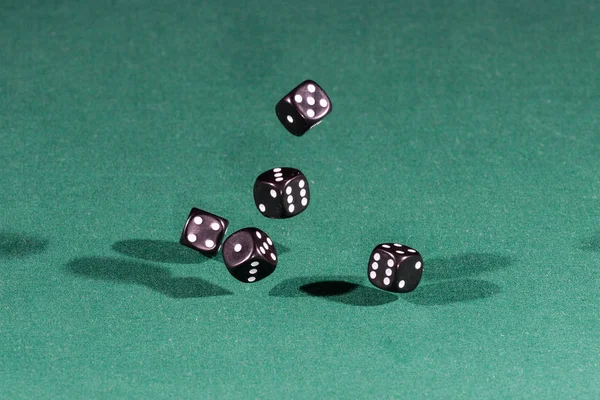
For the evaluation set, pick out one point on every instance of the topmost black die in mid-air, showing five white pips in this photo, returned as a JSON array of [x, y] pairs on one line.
[[303, 108]]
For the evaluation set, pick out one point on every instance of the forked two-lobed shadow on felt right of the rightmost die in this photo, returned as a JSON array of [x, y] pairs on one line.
[[456, 284]]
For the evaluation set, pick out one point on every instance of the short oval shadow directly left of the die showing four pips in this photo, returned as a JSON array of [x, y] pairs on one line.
[[162, 251]]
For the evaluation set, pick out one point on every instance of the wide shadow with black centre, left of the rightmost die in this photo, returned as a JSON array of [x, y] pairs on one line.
[[341, 289]]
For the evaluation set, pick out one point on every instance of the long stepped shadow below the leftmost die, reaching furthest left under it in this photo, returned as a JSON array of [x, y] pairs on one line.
[[113, 269]]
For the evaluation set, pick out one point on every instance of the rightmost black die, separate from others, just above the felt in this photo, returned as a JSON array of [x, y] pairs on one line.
[[395, 267]]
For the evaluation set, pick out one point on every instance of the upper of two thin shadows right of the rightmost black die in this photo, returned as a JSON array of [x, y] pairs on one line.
[[463, 265]]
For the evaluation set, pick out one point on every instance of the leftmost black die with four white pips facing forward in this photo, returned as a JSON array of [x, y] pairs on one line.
[[204, 232]]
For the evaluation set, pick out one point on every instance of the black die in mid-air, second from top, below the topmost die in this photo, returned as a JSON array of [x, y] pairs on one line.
[[281, 193]]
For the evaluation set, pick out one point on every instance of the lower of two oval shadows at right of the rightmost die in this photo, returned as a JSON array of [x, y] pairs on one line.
[[454, 291]]
